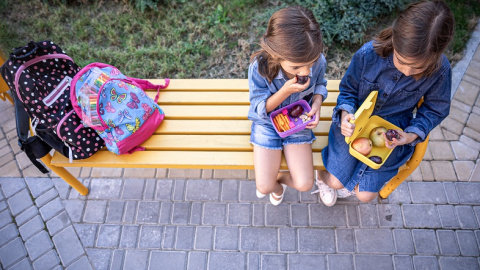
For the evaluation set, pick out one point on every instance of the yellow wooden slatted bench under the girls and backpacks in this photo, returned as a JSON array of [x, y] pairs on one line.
[[206, 127]]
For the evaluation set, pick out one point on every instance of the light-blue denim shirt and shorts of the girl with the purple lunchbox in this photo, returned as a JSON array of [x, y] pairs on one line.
[[263, 133]]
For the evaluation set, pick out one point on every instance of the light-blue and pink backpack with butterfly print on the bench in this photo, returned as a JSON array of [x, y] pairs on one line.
[[116, 106]]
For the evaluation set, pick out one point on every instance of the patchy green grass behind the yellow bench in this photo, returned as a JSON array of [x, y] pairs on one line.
[[180, 39]]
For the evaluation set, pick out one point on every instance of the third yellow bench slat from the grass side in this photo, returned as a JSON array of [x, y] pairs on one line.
[[220, 112]]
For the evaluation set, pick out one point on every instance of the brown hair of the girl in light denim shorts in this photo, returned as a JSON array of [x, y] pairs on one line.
[[293, 34]]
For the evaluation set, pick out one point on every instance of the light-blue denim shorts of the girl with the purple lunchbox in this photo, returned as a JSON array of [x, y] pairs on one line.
[[265, 136]]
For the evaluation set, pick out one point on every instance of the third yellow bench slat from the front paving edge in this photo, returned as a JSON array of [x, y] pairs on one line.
[[235, 127]]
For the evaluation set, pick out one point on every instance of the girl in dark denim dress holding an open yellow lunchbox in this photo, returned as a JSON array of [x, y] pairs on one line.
[[403, 63]]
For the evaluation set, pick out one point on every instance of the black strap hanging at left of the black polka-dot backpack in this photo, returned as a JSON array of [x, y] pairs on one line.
[[34, 147]]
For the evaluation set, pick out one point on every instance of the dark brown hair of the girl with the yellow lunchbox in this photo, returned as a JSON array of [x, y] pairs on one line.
[[422, 32]]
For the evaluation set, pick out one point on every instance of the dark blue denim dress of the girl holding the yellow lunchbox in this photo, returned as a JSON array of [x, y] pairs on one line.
[[398, 95]]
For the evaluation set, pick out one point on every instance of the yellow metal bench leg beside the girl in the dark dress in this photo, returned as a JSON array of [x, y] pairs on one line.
[[411, 165]]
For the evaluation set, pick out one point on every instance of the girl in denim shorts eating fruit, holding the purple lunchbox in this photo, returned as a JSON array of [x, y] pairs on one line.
[[292, 45]]
